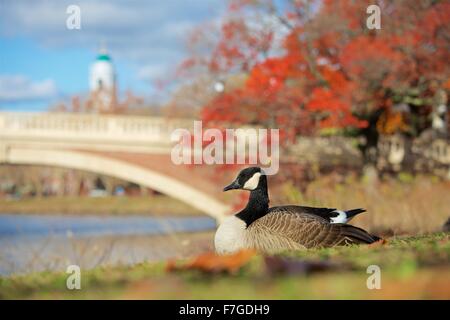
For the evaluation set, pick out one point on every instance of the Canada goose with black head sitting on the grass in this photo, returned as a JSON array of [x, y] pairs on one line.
[[276, 229]]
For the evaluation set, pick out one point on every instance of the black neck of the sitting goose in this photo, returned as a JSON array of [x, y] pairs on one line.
[[258, 203]]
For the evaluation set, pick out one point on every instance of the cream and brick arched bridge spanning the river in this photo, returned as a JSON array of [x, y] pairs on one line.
[[135, 149]]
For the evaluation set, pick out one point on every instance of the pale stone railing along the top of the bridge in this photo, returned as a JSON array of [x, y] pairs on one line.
[[89, 126]]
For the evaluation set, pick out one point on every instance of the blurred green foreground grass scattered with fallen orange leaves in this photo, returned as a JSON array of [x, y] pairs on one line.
[[411, 268]]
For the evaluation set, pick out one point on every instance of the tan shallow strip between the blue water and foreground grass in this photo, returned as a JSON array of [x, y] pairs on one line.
[[107, 251]]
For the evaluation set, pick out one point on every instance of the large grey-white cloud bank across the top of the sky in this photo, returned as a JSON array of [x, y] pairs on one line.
[[147, 33]]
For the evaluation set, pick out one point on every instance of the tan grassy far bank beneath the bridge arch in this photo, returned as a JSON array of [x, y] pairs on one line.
[[150, 205]]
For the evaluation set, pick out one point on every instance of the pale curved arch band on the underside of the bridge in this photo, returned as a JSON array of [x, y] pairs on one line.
[[118, 169]]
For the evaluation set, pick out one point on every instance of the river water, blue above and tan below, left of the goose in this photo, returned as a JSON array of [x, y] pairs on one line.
[[31, 243]]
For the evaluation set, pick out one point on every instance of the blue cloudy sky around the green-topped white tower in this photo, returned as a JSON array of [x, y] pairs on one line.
[[42, 61]]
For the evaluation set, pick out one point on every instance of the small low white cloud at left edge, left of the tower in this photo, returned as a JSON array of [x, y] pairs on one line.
[[20, 88]]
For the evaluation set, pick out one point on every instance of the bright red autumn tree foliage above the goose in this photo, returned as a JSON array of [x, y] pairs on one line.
[[333, 70]]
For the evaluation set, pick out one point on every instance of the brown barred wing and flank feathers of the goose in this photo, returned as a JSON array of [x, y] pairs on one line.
[[290, 227]]
